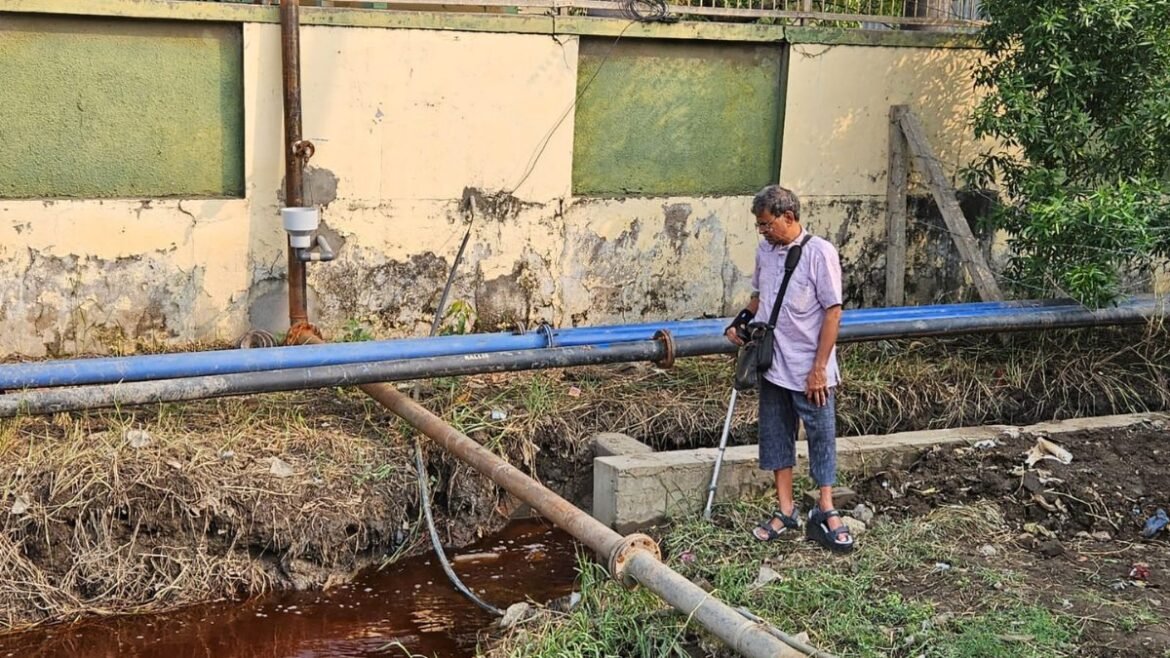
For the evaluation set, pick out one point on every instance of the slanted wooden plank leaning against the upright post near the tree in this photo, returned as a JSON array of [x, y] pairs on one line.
[[968, 246]]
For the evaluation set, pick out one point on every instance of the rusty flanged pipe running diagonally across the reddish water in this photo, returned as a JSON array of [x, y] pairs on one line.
[[634, 559]]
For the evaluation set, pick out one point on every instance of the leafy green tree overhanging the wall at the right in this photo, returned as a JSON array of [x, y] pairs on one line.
[[1079, 95]]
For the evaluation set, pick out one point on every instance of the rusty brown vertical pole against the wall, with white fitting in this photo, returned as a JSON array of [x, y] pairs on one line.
[[294, 163]]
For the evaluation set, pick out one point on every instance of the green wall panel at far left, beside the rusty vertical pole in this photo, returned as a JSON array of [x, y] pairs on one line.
[[107, 108]]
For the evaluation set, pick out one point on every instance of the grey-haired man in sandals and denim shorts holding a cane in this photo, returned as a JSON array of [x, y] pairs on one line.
[[800, 386]]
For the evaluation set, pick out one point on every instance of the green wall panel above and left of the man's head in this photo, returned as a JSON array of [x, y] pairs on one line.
[[665, 118]]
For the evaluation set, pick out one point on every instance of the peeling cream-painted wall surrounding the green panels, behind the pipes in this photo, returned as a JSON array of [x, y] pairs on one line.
[[414, 129]]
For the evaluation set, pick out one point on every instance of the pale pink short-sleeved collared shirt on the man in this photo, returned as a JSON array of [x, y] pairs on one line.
[[816, 287]]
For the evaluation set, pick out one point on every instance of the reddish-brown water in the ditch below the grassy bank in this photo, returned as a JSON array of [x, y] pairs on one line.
[[409, 606]]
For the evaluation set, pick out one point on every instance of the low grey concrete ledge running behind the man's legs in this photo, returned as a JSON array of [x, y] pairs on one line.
[[634, 491]]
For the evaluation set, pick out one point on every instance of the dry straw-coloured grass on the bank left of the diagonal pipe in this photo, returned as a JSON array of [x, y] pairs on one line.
[[153, 510]]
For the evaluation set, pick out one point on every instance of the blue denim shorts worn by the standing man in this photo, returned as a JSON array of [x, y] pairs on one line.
[[781, 410]]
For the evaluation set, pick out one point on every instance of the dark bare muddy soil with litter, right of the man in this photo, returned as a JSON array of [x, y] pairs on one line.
[[1072, 531]]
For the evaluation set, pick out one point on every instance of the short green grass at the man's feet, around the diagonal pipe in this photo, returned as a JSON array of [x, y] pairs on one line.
[[887, 600]]
